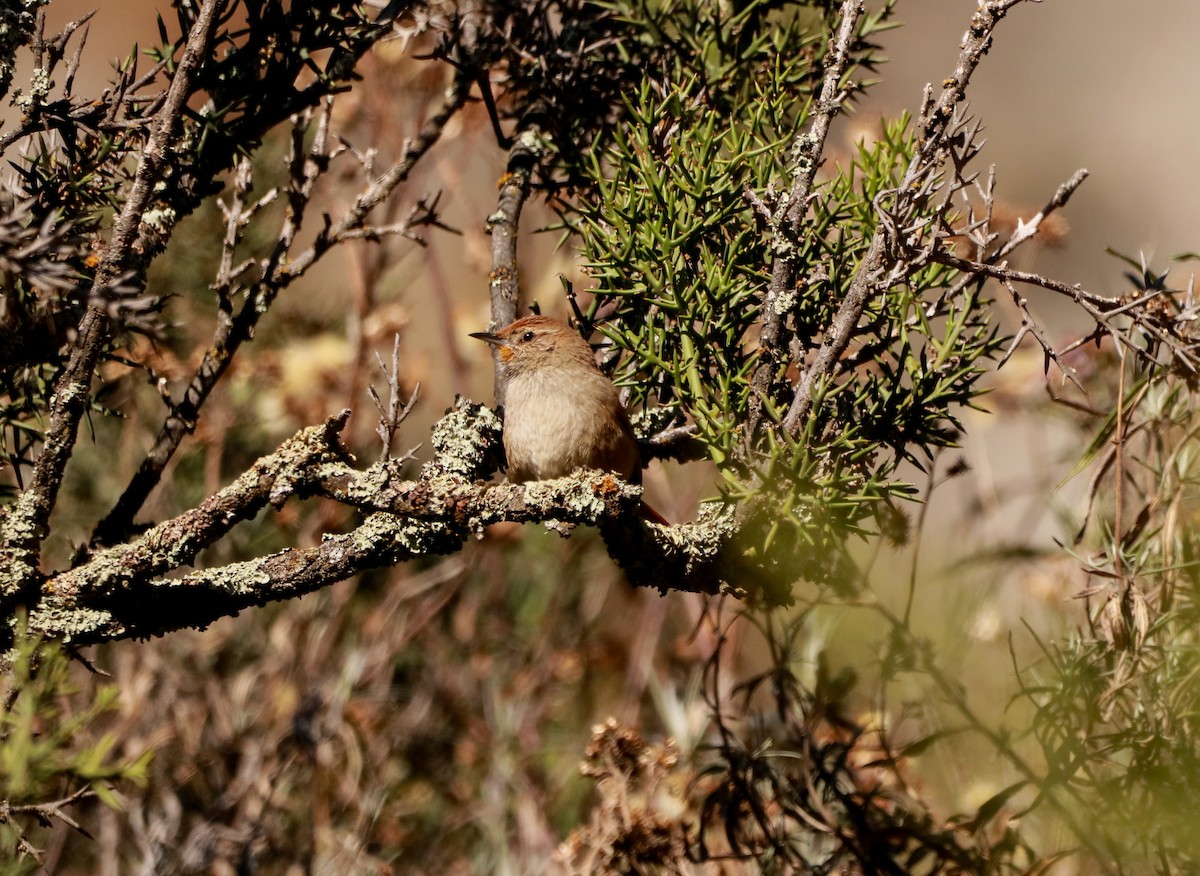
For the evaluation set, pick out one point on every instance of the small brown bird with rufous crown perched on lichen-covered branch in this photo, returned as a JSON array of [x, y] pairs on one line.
[[561, 412]]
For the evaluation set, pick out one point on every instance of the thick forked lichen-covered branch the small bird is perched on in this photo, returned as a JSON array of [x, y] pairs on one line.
[[136, 590]]
